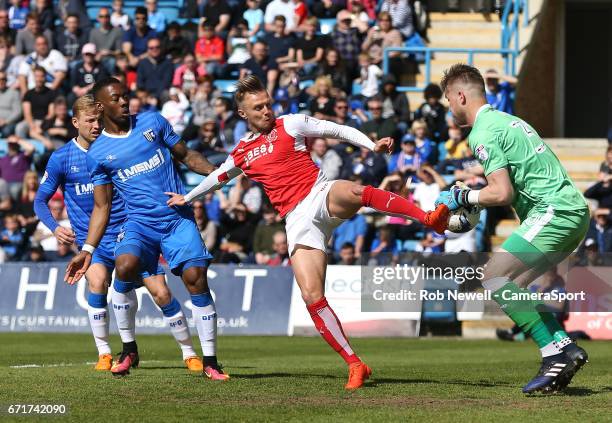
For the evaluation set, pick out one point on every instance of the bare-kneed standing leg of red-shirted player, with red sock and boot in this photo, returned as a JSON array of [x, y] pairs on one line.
[[309, 266]]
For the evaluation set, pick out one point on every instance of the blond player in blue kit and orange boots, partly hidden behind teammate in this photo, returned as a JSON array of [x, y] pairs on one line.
[[67, 169]]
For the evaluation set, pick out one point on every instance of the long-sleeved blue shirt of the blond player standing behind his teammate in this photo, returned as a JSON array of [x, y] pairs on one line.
[[67, 169]]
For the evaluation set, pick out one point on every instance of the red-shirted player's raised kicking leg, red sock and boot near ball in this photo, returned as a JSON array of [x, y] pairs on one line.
[[346, 198]]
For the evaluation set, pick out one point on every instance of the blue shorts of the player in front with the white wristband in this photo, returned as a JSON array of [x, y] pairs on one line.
[[178, 241]]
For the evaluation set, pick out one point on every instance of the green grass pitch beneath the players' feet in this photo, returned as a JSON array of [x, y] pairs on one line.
[[300, 379]]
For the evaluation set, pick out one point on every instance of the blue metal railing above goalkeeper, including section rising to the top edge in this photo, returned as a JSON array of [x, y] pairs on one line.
[[509, 47]]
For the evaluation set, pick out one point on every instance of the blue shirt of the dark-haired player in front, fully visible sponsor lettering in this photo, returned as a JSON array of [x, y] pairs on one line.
[[139, 164]]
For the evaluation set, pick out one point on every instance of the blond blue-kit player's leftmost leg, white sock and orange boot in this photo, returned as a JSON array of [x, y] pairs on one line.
[[97, 277]]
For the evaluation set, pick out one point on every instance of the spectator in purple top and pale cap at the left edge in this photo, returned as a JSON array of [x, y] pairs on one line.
[[15, 164]]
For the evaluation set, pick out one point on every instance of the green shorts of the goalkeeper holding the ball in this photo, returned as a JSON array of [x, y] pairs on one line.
[[547, 236]]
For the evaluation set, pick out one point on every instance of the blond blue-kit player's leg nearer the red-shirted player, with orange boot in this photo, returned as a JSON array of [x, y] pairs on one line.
[[175, 319]]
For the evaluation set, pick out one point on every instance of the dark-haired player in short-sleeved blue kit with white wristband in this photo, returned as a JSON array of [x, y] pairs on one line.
[[135, 155]]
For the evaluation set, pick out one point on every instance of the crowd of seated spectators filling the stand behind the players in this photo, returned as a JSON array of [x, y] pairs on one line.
[[49, 56]]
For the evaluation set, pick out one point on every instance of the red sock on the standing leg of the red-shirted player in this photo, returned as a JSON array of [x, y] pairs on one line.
[[330, 328]]
